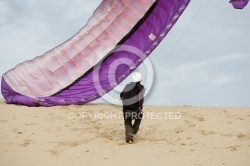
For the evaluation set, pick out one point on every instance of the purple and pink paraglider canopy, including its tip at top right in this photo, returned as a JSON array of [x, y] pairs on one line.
[[118, 37]]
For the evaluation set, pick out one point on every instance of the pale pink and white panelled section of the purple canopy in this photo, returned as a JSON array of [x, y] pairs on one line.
[[59, 67]]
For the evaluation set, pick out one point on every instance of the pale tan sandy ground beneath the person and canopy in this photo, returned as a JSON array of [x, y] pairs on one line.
[[93, 134]]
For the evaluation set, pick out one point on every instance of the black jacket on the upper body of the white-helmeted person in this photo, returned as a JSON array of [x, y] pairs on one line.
[[132, 97]]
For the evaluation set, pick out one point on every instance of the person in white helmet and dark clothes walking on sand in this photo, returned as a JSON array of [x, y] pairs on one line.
[[132, 98]]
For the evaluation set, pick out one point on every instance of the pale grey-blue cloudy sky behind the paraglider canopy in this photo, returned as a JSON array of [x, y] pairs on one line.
[[203, 61]]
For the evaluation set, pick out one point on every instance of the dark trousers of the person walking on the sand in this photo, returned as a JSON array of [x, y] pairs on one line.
[[131, 127]]
